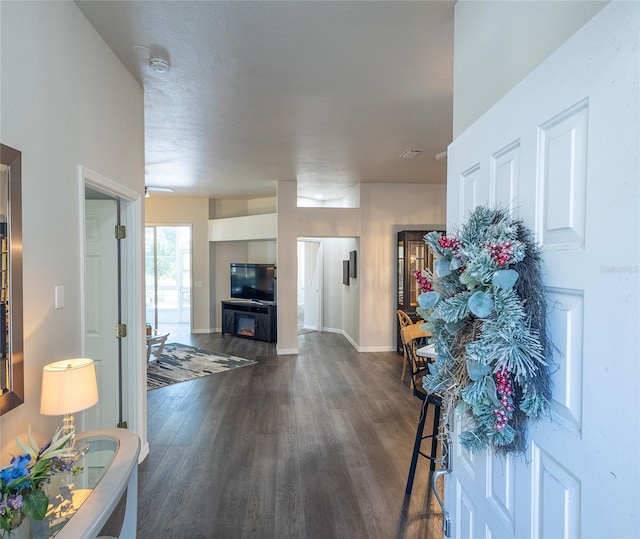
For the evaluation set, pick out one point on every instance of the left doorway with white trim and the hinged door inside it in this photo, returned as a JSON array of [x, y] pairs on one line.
[[111, 298]]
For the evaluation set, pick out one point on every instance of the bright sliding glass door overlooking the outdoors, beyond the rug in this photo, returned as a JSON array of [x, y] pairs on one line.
[[168, 277]]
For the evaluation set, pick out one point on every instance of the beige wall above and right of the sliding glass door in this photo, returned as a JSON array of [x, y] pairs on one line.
[[170, 210]]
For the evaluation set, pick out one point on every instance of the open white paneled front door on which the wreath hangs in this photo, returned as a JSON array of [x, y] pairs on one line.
[[561, 152]]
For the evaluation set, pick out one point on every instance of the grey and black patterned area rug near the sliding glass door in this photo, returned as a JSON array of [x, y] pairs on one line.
[[180, 362]]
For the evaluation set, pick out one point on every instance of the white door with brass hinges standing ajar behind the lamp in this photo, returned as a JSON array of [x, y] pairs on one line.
[[101, 293]]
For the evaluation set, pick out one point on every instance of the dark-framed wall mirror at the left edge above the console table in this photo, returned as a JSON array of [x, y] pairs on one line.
[[11, 357]]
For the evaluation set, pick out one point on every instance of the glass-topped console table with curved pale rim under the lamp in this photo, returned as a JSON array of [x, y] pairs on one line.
[[81, 502]]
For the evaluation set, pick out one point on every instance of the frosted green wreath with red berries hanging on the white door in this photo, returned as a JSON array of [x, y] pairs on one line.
[[485, 308]]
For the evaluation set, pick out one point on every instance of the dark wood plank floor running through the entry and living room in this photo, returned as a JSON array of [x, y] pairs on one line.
[[315, 445]]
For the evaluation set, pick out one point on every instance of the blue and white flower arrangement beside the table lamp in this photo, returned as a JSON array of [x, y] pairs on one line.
[[22, 482]]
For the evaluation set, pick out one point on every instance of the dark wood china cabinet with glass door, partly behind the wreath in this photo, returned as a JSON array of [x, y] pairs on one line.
[[411, 254]]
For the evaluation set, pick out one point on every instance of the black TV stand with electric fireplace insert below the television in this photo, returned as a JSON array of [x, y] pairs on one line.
[[251, 319]]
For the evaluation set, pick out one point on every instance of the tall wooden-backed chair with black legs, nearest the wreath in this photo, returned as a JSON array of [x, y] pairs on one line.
[[412, 338]]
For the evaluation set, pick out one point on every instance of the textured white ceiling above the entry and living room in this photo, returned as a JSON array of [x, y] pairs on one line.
[[326, 93]]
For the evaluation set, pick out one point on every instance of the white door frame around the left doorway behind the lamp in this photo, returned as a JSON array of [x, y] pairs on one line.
[[132, 296]]
